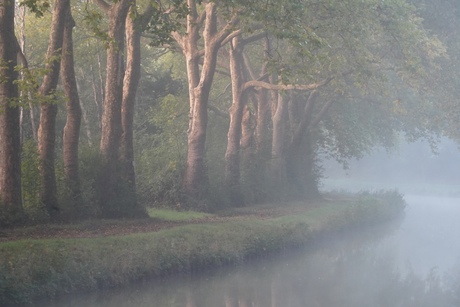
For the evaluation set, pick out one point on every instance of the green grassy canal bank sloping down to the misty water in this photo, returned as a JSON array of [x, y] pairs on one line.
[[46, 268]]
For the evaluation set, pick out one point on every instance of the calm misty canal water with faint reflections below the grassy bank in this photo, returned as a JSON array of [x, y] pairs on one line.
[[413, 262]]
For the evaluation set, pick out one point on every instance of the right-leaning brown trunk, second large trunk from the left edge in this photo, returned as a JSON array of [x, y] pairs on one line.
[[47, 127]]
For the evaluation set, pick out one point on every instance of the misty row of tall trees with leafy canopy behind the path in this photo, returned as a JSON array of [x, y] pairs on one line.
[[110, 107]]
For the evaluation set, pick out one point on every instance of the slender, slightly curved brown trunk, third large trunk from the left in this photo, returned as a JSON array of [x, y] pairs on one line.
[[73, 123]]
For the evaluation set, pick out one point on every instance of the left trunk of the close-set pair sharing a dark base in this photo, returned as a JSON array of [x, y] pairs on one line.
[[108, 189]]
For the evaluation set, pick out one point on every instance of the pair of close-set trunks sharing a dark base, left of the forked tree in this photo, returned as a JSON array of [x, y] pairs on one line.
[[117, 190]]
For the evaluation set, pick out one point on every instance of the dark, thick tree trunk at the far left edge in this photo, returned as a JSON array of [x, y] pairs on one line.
[[10, 149]]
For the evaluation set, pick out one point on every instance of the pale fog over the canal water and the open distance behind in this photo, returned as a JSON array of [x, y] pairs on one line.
[[413, 261]]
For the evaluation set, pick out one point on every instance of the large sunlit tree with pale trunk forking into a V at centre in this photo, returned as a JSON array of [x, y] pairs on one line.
[[219, 23]]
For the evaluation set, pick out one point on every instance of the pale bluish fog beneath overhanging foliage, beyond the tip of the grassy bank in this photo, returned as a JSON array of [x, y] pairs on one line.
[[412, 168]]
